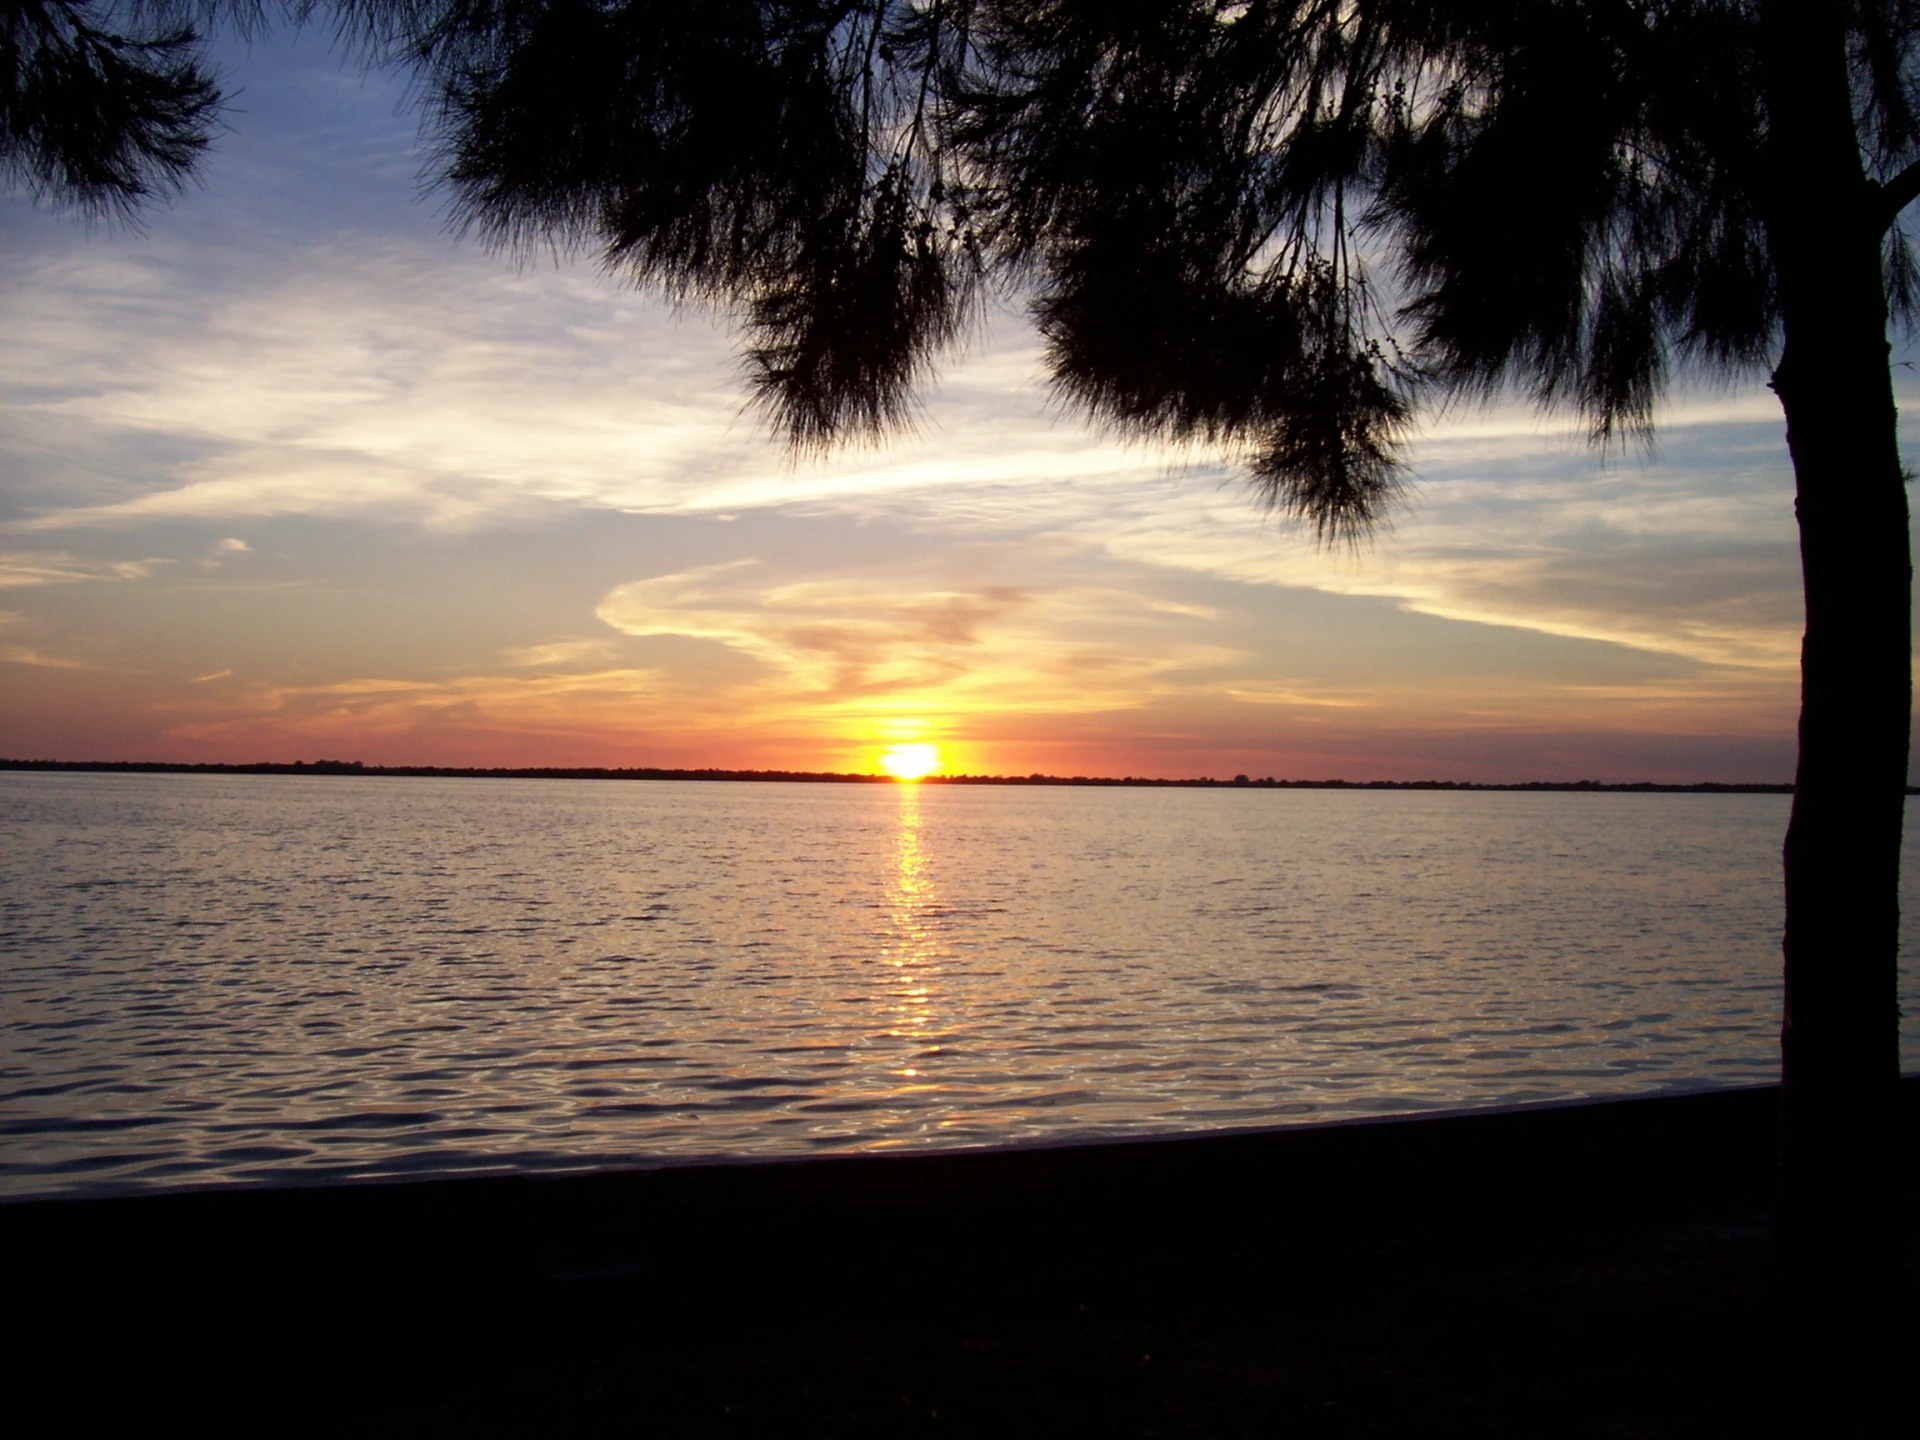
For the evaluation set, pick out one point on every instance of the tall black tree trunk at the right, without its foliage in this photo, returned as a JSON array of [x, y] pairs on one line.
[[1840, 1038]]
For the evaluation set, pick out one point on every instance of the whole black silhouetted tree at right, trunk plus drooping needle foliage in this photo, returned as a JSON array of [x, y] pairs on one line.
[[1280, 228]]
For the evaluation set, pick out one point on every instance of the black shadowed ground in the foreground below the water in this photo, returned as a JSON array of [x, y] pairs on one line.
[[1570, 1272]]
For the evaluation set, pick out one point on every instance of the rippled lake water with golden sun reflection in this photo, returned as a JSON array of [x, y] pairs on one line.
[[231, 978]]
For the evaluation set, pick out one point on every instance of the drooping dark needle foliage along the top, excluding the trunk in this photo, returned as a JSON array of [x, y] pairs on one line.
[[1266, 226]]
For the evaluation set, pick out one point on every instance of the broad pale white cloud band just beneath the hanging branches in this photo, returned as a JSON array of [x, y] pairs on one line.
[[406, 381]]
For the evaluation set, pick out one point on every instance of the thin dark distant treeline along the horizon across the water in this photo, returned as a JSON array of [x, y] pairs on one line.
[[834, 779]]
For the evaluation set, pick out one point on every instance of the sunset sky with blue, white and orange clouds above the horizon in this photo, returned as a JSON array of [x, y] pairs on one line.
[[297, 473]]
